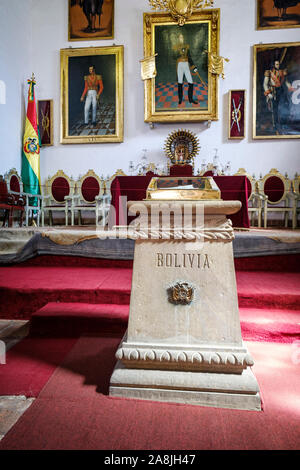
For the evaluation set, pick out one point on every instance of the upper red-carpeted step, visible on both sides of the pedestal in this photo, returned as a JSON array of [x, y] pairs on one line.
[[24, 290]]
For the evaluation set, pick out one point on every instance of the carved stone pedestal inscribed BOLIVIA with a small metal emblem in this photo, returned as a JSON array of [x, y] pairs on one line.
[[183, 342]]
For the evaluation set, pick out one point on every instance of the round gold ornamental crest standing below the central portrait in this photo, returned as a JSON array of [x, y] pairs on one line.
[[181, 147]]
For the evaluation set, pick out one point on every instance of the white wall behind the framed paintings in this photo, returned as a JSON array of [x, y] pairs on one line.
[[50, 34]]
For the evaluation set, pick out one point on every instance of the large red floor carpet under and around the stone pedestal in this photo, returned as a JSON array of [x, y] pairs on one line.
[[74, 411]]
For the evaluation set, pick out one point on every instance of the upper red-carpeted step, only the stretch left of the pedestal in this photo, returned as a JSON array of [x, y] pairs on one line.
[[24, 290]]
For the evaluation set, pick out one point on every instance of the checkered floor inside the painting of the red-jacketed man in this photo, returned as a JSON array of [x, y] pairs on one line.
[[105, 123]]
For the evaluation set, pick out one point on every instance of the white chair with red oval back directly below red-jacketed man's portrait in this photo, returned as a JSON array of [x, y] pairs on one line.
[[89, 197]]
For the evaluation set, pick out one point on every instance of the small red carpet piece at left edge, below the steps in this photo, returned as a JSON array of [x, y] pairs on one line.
[[30, 364]]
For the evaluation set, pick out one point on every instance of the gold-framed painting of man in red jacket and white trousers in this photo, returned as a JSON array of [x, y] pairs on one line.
[[92, 95]]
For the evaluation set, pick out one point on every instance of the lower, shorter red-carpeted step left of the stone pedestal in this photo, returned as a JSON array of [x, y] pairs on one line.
[[78, 319]]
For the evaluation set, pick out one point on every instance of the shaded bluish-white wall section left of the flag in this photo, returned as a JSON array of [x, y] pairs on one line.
[[15, 69]]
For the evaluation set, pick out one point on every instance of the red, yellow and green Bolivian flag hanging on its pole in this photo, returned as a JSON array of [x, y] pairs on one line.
[[31, 148]]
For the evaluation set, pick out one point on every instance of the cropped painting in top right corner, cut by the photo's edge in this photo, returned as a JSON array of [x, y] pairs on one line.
[[277, 14]]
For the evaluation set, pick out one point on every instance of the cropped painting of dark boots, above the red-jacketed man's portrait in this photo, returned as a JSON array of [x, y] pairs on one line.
[[91, 19]]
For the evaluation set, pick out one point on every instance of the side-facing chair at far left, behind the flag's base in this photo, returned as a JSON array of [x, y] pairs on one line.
[[33, 202]]
